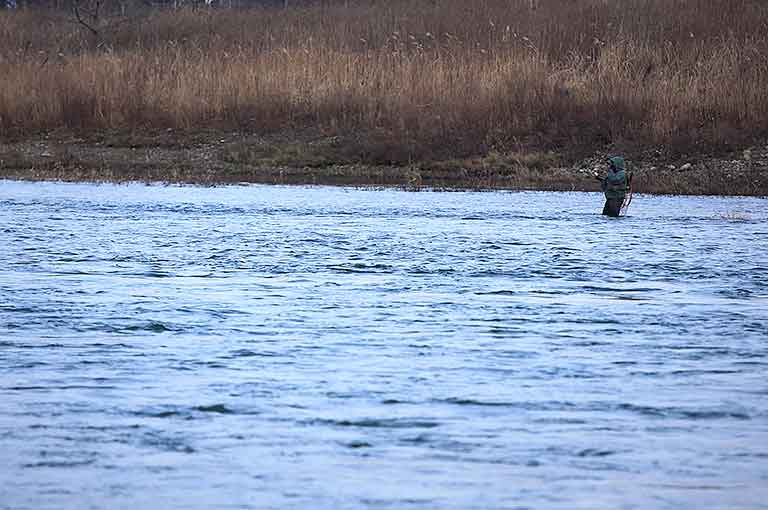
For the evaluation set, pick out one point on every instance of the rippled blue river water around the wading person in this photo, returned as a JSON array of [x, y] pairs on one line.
[[327, 348]]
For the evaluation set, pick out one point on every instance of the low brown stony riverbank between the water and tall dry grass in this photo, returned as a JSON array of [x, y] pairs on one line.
[[214, 157]]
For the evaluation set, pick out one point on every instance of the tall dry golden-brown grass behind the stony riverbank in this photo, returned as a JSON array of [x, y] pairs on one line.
[[404, 81]]
